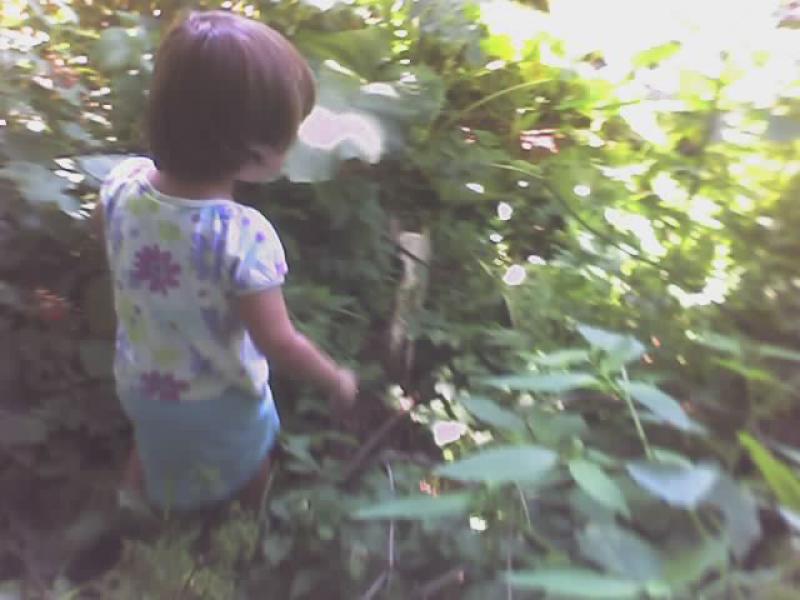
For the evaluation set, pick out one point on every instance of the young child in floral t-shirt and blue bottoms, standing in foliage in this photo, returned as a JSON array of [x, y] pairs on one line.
[[197, 277]]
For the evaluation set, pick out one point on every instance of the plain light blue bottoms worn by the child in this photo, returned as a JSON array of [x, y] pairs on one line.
[[196, 454]]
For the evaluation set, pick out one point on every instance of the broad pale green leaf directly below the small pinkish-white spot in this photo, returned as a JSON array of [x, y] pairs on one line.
[[502, 464]]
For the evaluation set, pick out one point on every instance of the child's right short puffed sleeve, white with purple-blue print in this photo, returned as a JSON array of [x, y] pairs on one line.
[[258, 258]]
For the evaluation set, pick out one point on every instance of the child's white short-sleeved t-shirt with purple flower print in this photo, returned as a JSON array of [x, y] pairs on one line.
[[177, 266]]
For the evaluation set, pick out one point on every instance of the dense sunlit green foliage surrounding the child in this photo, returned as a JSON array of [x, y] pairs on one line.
[[611, 301]]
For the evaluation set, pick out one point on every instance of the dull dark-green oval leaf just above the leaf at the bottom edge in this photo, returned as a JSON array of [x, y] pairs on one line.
[[620, 552]]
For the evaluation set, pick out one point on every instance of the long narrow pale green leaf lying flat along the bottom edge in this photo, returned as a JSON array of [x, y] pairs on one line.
[[575, 584]]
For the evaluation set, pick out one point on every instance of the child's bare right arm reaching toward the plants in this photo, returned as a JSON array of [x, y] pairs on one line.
[[268, 322]]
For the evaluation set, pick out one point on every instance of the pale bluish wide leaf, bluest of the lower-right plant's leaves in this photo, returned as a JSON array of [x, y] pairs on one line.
[[678, 485]]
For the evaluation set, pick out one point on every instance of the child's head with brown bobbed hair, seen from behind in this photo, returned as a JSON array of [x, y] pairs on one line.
[[227, 99]]
